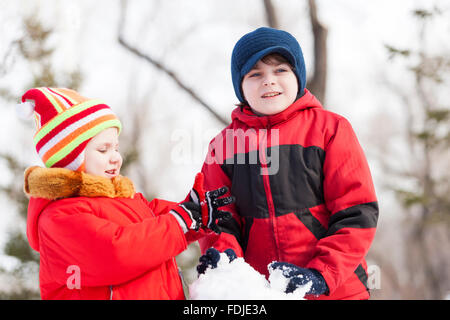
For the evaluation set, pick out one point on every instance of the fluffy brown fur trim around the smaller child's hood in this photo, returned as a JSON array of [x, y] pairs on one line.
[[59, 183]]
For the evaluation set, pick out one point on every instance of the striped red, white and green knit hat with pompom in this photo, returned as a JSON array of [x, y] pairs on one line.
[[65, 122]]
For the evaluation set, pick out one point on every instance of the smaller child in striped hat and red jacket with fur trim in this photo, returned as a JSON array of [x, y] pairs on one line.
[[97, 237]]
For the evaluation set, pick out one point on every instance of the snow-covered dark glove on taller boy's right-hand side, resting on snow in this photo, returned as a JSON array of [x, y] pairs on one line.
[[300, 276]]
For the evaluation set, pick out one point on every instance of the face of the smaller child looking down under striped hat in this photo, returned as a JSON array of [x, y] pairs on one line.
[[102, 157]]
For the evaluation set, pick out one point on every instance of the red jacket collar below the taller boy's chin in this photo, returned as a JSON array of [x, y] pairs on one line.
[[246, 115]]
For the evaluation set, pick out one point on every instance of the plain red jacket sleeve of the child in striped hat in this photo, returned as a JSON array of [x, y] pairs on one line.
[[105, 252]]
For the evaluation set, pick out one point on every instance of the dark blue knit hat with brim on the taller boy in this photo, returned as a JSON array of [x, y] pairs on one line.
[[259, 43]]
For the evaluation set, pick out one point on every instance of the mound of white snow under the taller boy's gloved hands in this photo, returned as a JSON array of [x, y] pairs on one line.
[[237, 280]]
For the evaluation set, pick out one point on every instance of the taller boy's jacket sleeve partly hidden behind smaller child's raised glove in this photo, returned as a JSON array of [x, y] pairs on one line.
[[215, 177]]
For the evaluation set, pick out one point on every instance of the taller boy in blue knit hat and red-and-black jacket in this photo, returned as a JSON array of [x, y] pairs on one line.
[[315, 216]]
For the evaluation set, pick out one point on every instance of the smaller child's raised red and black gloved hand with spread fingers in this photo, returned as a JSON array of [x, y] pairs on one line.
[[210, 202]]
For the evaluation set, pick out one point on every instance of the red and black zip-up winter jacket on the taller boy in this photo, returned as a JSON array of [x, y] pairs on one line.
[[304, 193]]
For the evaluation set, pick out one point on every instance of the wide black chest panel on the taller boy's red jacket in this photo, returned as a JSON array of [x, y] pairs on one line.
[[298, 182]]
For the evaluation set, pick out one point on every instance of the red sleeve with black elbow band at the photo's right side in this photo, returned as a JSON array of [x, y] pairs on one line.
[[350, 198]]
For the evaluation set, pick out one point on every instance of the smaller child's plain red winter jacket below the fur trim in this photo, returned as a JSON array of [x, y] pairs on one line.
[[118, 247]]
